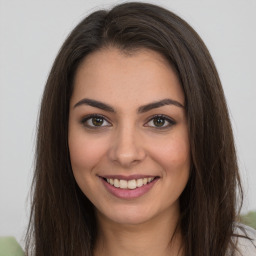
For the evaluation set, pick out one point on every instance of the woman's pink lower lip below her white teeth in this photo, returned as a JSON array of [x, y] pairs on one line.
[[129, 193]]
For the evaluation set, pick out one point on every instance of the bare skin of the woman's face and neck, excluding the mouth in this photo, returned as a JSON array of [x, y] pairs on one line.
[[128, 142]]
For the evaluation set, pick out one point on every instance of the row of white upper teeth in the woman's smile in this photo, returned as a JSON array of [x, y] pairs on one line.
[[129, 184]]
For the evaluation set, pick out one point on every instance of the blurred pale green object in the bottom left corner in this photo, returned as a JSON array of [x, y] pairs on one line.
[[10, 247]]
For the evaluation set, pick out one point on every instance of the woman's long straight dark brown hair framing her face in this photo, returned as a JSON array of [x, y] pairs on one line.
[[62, 219]]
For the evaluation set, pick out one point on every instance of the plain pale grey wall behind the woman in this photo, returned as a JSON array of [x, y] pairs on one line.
[[31, 33]]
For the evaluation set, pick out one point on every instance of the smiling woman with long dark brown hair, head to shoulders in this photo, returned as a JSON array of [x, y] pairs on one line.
[[135, 153]]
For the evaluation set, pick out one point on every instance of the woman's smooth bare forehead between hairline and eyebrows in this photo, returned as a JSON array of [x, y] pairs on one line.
[[140, 76]]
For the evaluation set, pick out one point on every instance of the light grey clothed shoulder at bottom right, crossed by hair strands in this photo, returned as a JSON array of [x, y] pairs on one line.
[[245, 240]]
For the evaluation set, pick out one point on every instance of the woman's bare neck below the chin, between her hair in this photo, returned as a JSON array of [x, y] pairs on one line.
[[158, 236]]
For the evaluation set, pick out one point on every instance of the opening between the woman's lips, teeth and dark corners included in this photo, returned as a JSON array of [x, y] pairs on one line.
[[129, 183]]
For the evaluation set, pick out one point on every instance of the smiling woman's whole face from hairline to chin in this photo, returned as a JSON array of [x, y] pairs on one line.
[[128, 135]]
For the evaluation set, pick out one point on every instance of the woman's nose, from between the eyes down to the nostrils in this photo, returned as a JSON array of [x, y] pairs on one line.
[[127, 148]]
